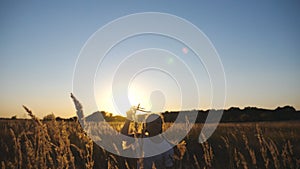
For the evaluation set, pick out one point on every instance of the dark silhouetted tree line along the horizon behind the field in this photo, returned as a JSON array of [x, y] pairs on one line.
[[233, 114]]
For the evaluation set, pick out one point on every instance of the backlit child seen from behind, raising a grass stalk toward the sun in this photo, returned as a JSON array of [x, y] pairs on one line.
[[156, 149]]
